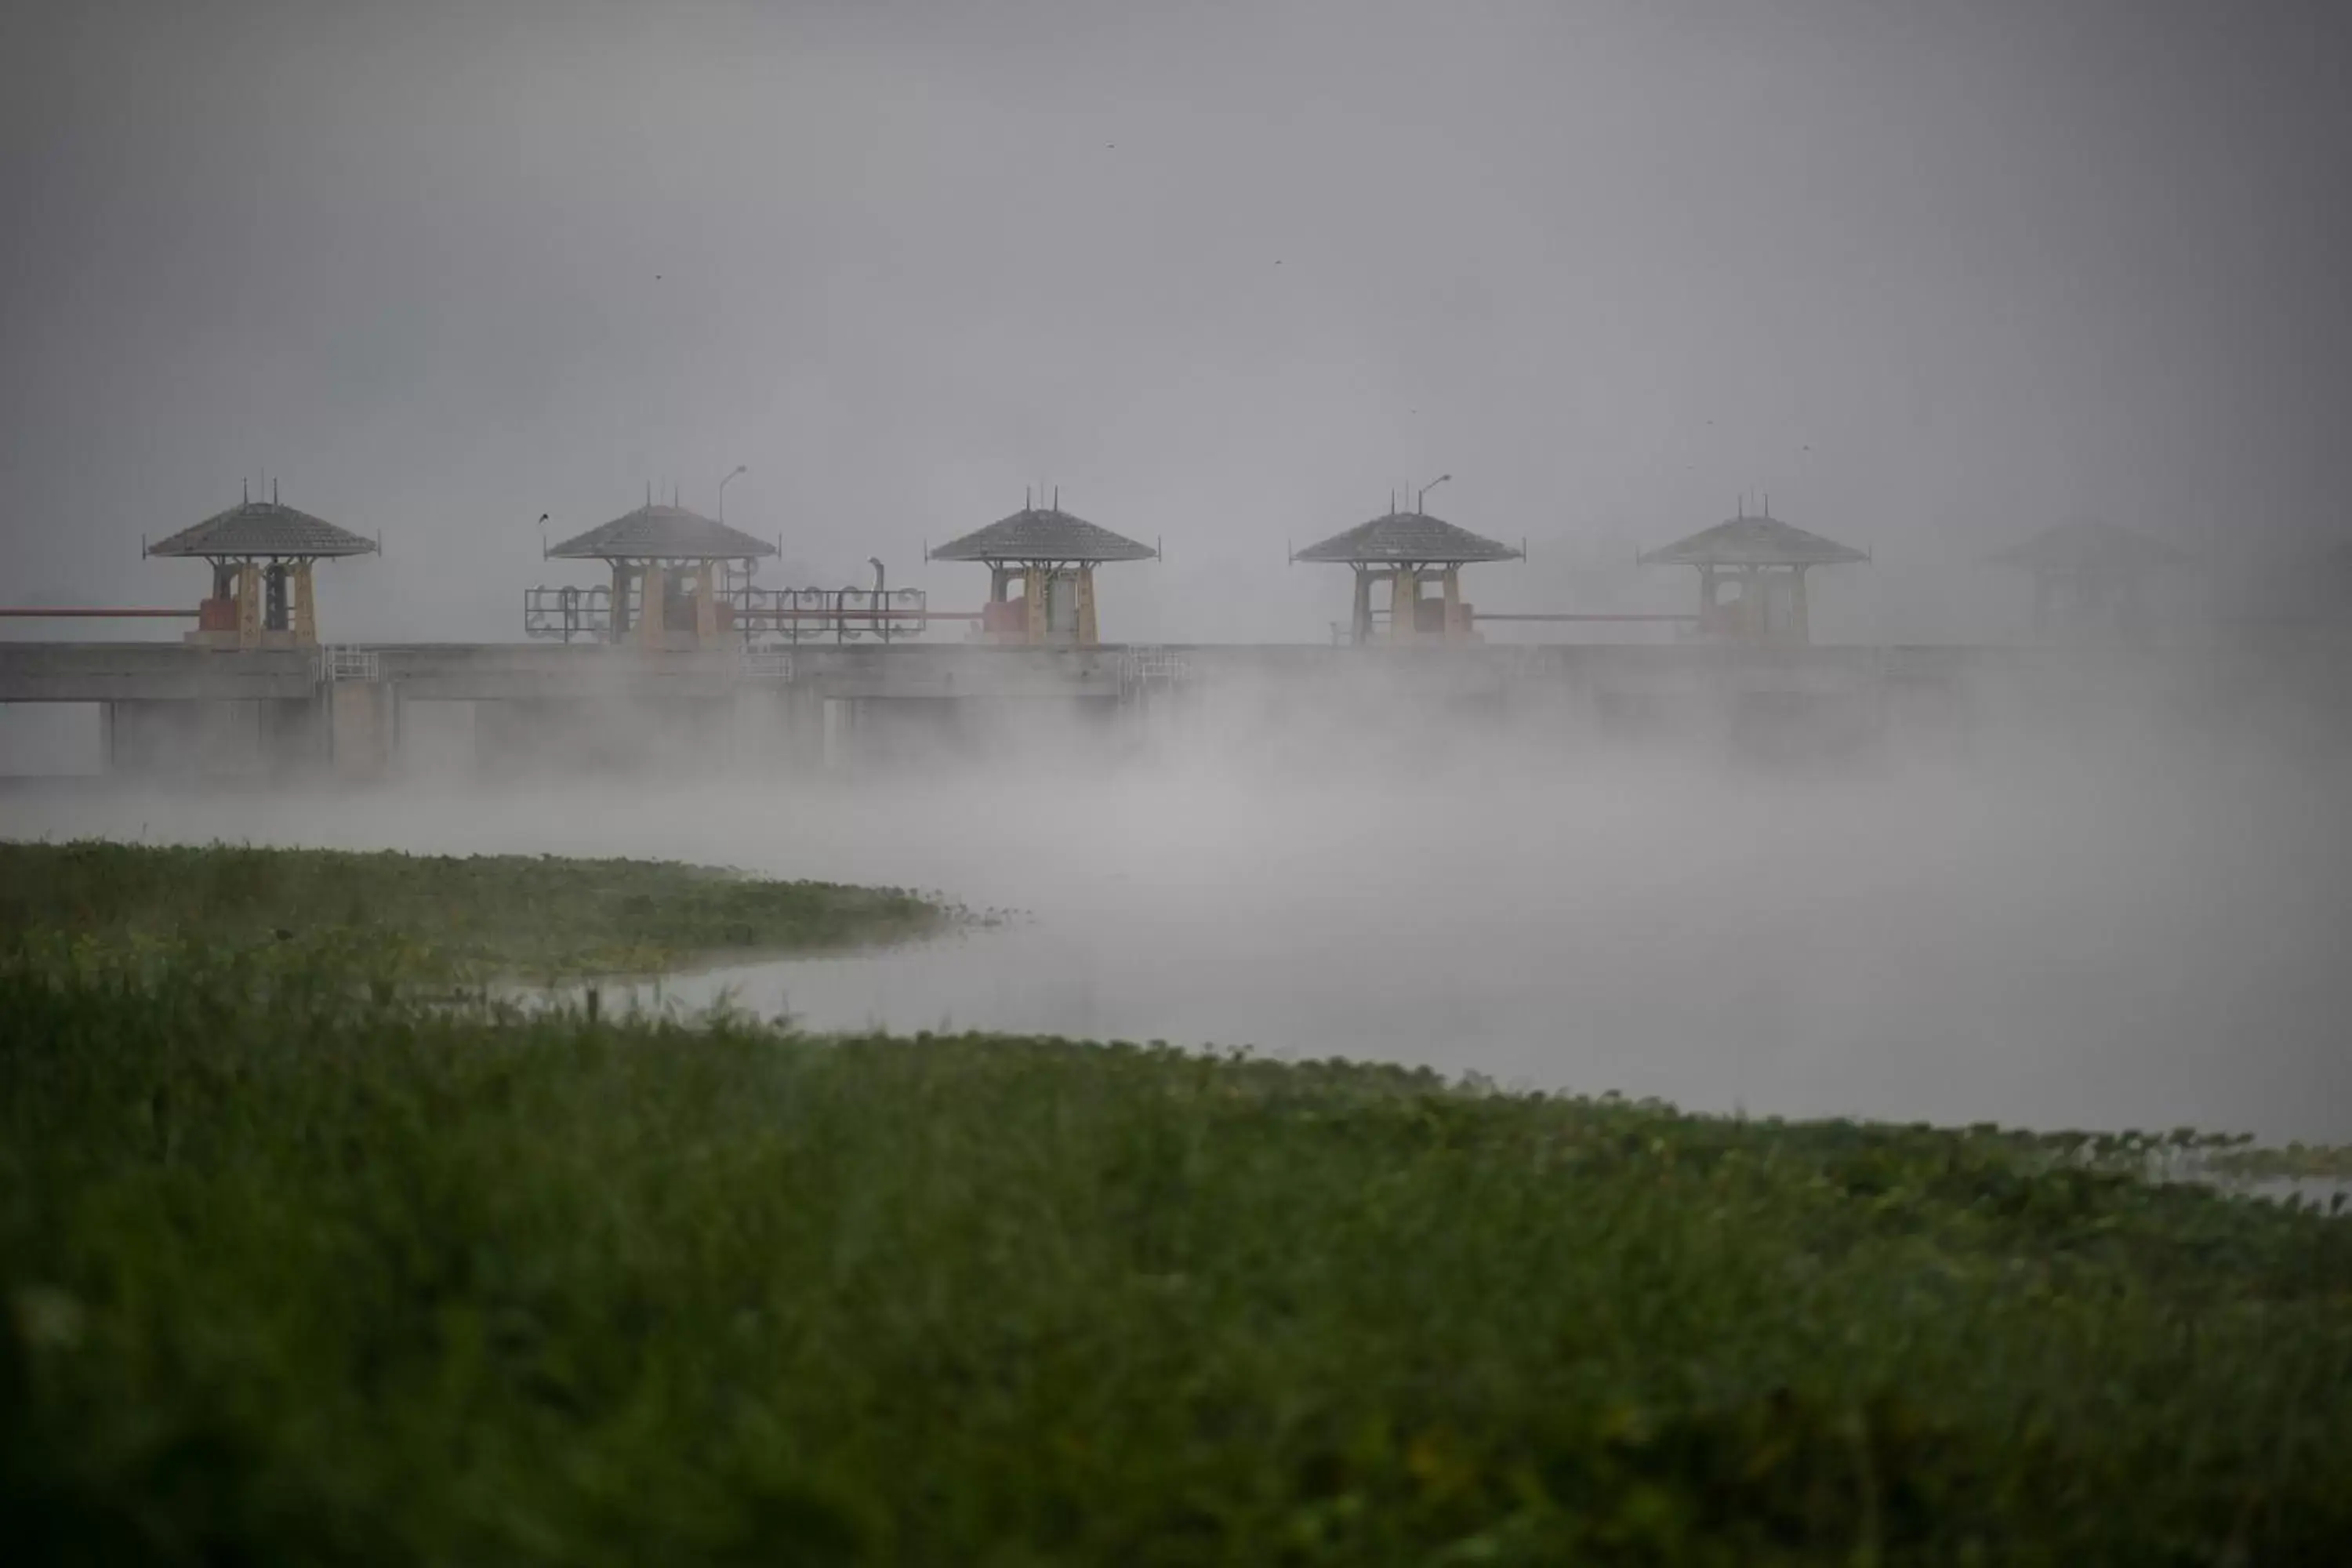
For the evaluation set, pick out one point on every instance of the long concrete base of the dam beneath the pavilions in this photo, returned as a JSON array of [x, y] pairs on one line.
[[274, 711]]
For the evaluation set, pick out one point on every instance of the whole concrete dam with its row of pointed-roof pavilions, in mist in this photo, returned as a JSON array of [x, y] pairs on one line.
[[683, 662]]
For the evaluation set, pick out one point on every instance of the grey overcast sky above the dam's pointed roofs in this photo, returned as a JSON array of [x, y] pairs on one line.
[[1930, 274]]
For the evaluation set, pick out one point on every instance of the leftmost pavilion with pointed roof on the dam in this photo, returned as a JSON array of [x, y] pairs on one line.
[[262, 556]]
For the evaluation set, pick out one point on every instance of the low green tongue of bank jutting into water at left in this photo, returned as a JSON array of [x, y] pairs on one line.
[[432, 916]]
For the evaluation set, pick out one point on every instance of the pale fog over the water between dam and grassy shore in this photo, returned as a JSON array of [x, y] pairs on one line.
[[2106, 930]]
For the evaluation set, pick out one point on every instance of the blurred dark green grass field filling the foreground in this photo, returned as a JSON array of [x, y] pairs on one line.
[[309, 1271]]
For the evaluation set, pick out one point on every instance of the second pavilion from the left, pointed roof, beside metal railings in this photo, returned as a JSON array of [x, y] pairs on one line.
[[667, 577]]
